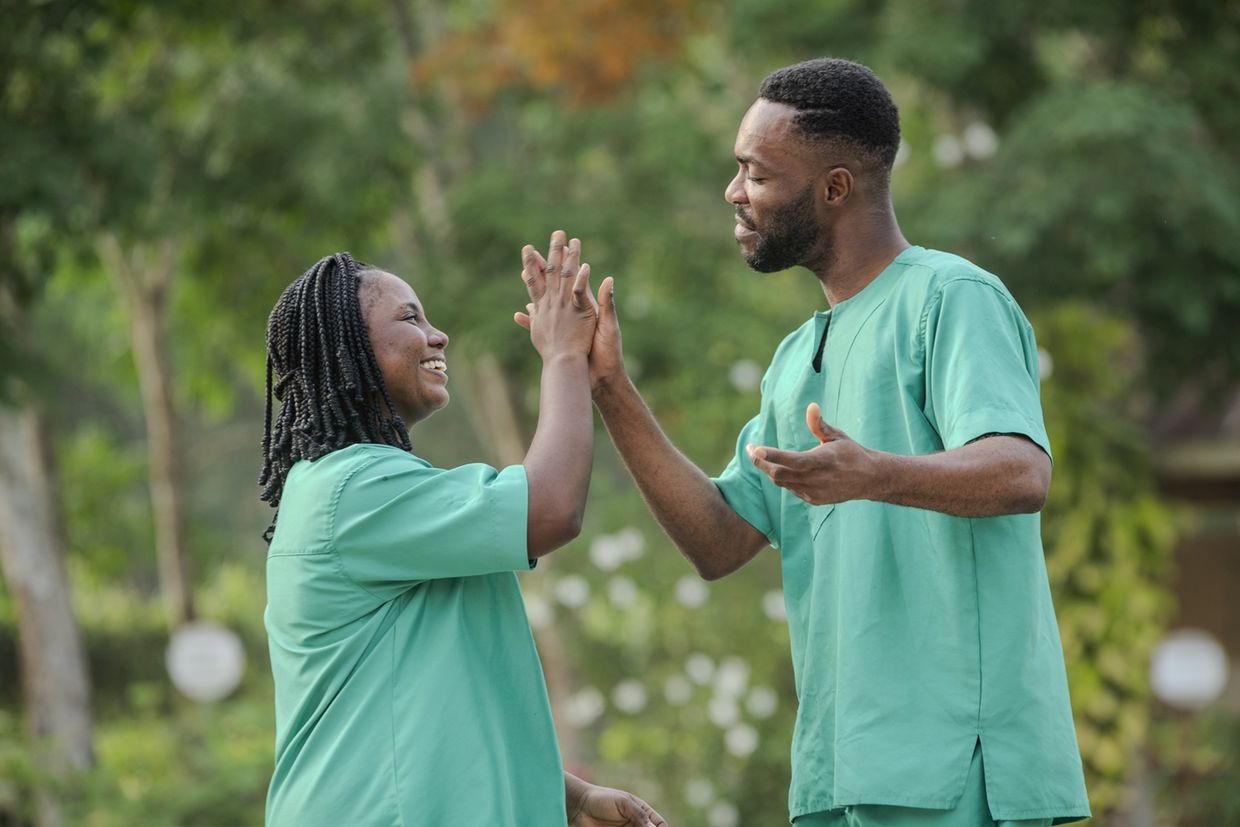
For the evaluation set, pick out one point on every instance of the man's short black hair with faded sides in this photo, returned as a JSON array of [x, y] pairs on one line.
[[840, 101]]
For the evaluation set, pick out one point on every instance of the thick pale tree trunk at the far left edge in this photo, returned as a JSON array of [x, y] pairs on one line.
[[54, 671]]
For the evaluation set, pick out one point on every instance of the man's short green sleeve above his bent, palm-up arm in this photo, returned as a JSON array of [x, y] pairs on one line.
[[981, 366]]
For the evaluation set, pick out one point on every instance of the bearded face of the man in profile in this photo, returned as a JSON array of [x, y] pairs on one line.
[[778, 224]]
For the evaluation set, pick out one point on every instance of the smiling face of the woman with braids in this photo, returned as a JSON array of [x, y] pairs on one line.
[[410, 352]]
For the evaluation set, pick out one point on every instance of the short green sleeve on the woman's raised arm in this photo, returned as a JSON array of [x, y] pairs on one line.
[[400, 521]]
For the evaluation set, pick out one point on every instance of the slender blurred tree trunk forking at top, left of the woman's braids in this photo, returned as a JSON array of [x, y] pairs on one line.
[[144, 280]]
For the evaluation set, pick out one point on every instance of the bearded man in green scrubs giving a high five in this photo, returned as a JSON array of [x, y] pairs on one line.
[[900, 463]]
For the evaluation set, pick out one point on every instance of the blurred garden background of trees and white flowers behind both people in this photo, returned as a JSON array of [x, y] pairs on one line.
[[167, 169]]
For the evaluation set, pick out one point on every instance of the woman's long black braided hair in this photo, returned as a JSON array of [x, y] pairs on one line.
[[329, 383]]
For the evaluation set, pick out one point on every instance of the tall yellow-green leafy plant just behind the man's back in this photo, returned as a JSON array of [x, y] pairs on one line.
[[1108, 539]]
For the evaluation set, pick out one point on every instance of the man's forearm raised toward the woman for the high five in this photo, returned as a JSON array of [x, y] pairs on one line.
[[680, 495]]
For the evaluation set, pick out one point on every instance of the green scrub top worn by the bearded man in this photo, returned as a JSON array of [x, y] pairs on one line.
[[914, 634]]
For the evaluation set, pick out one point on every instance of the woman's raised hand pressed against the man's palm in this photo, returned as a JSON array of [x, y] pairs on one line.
[[562, 314]]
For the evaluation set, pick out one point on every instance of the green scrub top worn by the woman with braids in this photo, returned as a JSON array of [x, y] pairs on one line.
[[409, 690]]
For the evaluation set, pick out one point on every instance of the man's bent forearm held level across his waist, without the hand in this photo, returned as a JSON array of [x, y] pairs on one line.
[[990, 478]]
